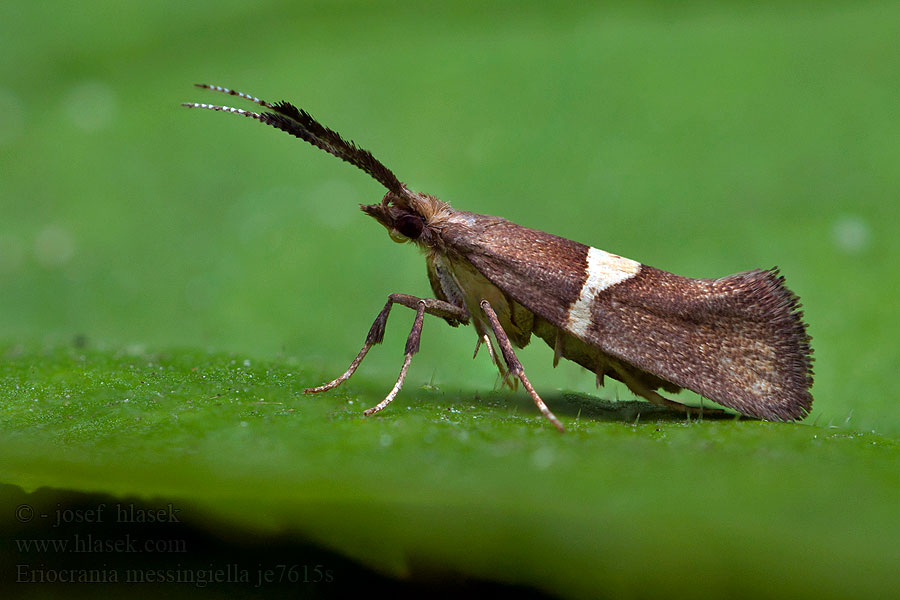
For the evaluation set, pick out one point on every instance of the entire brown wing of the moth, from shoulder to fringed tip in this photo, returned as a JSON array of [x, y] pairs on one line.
[[739, 340]]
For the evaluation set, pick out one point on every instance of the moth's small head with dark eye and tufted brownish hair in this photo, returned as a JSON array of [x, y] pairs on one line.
[[410, 217]]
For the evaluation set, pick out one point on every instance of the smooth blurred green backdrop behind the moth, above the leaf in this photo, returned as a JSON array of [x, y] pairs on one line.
[[704, 139]]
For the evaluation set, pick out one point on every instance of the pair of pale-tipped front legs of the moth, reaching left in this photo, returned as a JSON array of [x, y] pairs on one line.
[[431, 306]]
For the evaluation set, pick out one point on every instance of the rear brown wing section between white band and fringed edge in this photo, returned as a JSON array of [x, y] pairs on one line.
[[738, 340]]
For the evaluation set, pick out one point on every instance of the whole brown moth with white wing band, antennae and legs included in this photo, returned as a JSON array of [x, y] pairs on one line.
[[739, 340]]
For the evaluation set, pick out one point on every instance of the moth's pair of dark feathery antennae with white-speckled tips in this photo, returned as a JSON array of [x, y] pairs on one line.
[[299, 123]]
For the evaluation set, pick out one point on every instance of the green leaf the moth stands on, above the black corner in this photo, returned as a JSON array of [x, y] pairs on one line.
[[443, 483]]
